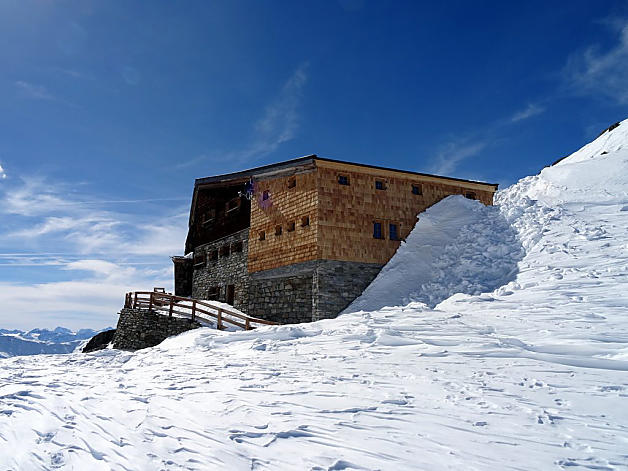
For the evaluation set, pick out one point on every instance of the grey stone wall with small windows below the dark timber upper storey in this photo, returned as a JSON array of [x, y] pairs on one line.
[[226, 270]]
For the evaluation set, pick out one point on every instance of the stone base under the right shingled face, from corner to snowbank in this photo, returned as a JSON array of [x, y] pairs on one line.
[[337, 284]]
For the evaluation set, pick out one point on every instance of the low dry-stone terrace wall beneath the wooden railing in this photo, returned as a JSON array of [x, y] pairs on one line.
[[140, 328]]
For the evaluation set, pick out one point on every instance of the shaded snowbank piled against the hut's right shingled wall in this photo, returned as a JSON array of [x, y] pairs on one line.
[[457, 246]]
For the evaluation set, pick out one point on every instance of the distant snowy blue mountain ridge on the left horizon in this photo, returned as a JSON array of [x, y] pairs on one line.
[[42, 341]]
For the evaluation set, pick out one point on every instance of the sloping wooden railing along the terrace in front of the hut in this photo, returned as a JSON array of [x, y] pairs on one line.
[[194, 309]]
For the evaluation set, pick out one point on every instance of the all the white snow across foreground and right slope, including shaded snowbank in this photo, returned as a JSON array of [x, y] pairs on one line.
[[532, 374]]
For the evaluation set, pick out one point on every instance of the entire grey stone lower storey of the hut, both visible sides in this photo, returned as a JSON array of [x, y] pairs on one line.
[[291, 294]]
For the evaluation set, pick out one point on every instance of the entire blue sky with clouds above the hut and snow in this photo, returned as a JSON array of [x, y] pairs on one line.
[[110, 110]]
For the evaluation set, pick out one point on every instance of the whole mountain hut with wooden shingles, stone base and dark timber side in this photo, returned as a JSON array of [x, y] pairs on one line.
[[299, 240]]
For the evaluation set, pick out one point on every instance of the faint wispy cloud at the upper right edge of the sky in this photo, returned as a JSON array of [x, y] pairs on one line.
[[602, 71]]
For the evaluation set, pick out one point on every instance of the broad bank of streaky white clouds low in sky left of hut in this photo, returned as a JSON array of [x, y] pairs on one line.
[[104, 248]]
